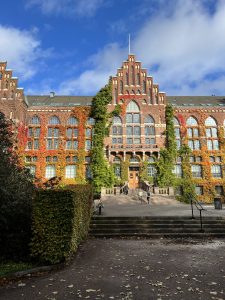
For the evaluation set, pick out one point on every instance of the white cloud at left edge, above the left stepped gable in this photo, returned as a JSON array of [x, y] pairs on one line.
[[21, 49]]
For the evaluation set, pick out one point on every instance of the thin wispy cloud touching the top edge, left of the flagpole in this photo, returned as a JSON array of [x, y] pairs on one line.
[[83, 8]]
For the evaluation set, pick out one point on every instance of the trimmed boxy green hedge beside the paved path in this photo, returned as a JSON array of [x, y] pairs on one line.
[[60, 221]]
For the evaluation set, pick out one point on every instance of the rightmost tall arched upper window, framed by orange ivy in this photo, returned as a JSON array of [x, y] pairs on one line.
[[211, 134]]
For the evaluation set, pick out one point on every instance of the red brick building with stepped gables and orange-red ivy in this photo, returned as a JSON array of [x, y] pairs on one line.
[[58, 130]]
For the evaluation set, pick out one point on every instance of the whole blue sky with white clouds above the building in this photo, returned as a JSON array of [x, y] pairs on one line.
[[73, 46]]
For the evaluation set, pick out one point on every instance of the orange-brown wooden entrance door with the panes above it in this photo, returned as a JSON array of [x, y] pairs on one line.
[[134, 173]]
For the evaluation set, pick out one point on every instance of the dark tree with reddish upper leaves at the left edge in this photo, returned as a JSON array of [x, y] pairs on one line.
[[16, 191]]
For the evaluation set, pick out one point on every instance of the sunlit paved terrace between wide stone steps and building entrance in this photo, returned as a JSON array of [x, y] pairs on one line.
[[130, 205]]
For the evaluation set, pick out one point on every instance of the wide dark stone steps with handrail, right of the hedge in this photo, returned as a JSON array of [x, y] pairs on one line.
[[156, 226]]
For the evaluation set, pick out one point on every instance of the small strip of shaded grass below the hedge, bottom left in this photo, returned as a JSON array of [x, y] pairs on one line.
[[9, 267]]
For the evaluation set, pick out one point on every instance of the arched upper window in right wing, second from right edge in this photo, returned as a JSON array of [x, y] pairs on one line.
[[193, 133]]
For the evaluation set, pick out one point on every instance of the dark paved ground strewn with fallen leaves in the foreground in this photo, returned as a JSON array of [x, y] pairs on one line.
[[132, 270]]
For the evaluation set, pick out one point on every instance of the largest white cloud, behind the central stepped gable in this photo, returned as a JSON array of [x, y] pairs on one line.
[[181, 49]]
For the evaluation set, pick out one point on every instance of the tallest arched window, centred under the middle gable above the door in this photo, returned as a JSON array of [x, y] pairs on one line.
[[133, 128]]
